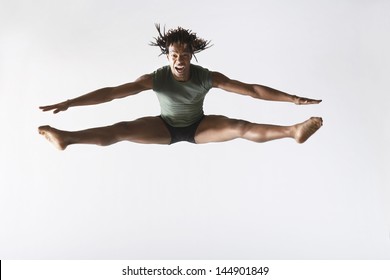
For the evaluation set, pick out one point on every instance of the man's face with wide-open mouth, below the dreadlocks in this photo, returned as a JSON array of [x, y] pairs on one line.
[[179, 58]]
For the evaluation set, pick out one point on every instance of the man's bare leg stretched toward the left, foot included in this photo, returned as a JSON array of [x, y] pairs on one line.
[[148, 130]]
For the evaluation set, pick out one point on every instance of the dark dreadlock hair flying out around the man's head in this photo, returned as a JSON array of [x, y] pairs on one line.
[[179, 35]]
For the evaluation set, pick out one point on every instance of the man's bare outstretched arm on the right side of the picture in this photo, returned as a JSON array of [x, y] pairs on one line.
[[257, 91]]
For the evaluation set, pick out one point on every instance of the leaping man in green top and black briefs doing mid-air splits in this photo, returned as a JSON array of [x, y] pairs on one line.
[[181, 88]]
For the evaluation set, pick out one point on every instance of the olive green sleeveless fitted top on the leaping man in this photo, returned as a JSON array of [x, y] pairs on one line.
[[181, 102]]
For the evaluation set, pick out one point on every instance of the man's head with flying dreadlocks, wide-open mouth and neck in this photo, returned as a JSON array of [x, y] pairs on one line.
[[179, 45]]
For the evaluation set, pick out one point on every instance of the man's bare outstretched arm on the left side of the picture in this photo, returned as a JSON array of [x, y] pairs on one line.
[[102, 95]]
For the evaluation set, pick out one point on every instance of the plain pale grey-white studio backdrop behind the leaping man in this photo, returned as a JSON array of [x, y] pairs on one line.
[[326, 199]]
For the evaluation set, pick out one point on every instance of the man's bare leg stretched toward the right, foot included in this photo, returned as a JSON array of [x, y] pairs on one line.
[[221, 128]]
